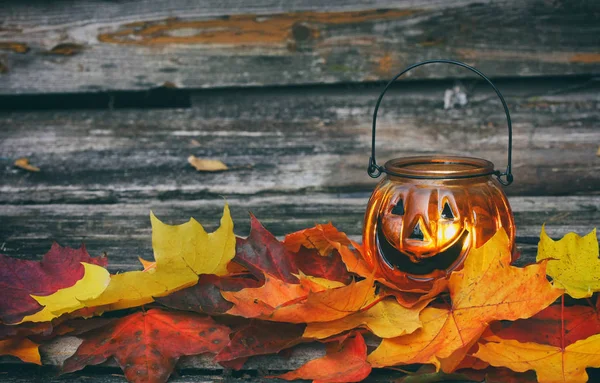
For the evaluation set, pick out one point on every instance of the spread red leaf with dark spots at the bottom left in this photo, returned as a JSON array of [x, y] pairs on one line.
[[147, 345]]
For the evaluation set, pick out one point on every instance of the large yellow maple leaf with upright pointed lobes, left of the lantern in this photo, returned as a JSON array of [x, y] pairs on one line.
[[181, 253]]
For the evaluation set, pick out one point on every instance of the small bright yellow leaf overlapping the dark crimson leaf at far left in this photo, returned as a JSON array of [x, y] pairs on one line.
[[94, 282]]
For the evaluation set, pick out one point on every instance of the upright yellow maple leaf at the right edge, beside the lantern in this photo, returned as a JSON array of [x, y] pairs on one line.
[[573, 262]]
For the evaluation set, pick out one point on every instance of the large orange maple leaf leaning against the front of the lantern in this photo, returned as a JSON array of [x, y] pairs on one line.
[[488, 288]]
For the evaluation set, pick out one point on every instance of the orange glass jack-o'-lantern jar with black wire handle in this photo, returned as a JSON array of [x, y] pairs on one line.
[[428, 212]]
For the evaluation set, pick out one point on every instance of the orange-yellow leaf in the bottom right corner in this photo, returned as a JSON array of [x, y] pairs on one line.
[[551, 364]]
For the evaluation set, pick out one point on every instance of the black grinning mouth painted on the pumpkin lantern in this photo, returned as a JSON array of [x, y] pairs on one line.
[[401, 261]]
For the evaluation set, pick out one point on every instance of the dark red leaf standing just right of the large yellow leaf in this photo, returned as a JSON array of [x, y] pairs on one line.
[[262, 253]]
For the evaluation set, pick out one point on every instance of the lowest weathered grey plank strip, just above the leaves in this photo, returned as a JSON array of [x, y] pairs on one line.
[[123, 230]]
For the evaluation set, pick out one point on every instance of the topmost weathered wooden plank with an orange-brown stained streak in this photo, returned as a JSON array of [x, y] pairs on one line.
[[95, 45]]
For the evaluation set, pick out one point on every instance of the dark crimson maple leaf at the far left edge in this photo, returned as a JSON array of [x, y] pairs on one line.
[[59, 268]]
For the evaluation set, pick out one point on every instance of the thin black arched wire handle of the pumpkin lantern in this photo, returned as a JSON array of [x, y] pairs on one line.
[[376, 170]]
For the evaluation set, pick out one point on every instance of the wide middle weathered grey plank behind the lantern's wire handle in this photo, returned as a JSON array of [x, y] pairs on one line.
[[287, 140]]
